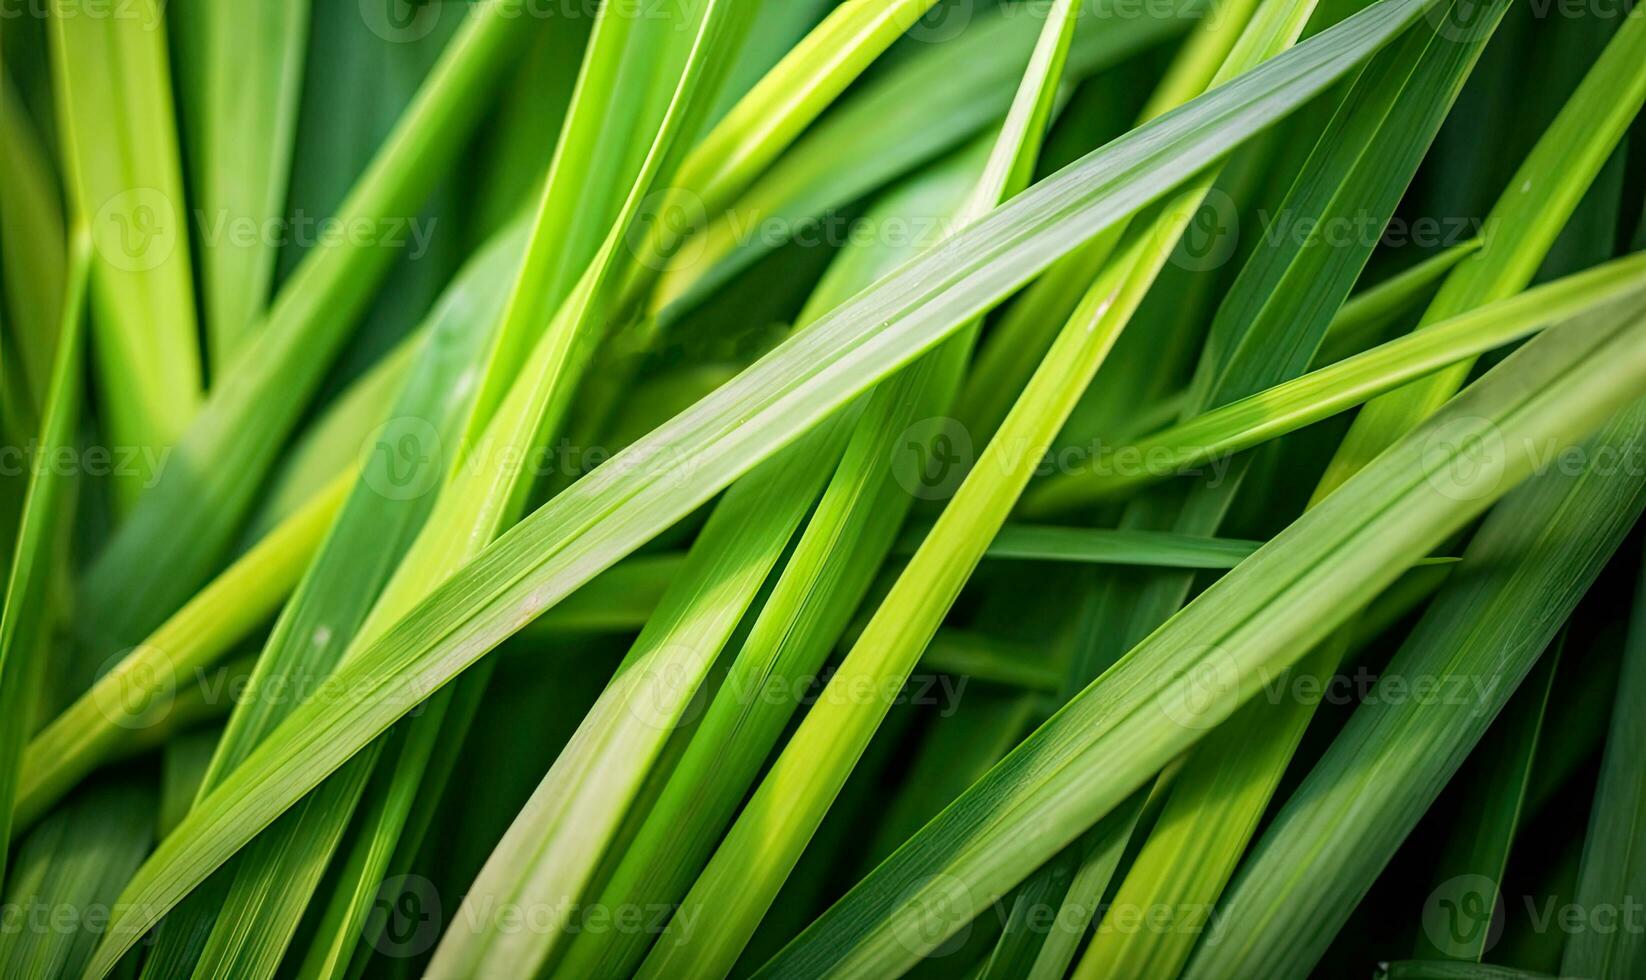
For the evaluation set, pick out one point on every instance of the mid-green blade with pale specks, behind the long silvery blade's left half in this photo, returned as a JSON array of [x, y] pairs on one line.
[[376, 528]]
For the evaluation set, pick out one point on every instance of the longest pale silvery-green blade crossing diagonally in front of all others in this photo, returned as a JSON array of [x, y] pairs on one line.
[[725, 436]]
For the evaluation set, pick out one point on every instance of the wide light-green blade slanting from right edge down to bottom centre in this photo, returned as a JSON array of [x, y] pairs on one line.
[[1219, 651]]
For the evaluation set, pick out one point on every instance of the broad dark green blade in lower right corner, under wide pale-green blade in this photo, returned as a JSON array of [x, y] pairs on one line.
[[1332, 838]]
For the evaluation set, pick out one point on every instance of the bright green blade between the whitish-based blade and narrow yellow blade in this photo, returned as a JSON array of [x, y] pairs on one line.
[[807, 609]]
